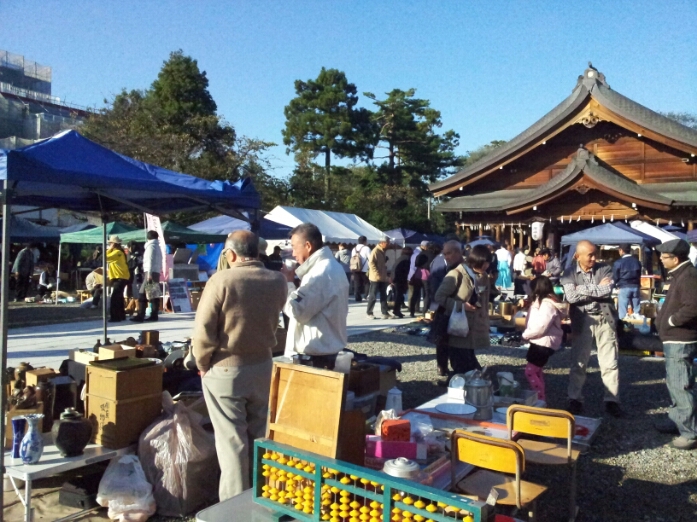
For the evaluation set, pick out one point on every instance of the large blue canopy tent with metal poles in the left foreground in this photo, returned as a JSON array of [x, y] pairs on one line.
[[71, 172]]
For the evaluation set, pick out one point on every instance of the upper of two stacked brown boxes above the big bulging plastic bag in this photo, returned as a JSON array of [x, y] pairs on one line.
[[126, 384]]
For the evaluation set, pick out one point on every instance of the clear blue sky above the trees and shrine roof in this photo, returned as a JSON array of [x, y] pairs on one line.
[[491, 67]]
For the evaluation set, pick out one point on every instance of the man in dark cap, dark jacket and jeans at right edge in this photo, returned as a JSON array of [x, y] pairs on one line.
[[677, 328]]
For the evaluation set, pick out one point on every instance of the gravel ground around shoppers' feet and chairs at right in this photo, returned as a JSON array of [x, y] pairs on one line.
[[629, 474]]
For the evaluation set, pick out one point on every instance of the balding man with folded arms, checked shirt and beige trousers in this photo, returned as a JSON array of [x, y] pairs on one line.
[[588, 287]]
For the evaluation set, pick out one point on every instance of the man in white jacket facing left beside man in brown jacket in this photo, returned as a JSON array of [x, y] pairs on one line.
[[319, 306]]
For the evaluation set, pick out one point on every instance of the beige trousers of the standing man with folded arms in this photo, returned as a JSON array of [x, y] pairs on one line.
[[594, 331]]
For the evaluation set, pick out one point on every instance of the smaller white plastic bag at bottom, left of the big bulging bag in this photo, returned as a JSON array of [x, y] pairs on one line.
[[125, 491]]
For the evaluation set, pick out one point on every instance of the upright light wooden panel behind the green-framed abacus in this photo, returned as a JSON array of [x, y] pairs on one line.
[[305, 406]]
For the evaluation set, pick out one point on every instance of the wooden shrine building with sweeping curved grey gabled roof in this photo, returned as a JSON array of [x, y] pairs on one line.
[[596, 157]]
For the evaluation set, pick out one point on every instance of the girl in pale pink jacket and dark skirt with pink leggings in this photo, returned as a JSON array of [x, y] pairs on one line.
[[543, 330]]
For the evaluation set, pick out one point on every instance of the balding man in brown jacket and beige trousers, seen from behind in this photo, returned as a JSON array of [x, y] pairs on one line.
[[234, 332]]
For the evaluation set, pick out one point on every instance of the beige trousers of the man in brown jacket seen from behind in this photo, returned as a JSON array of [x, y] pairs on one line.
[[237, 398]]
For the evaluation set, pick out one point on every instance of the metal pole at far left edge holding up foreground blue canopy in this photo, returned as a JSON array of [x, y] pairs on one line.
[[4, 303]]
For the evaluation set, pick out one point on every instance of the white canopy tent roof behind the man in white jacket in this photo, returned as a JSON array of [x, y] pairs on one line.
[[336, 227]]
